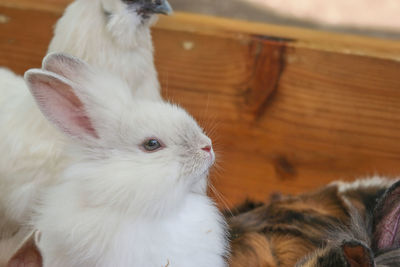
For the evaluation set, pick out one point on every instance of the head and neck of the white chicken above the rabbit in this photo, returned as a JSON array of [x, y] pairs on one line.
[[114, 35]]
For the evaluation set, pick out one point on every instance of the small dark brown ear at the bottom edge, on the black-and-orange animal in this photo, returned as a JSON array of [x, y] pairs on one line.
[[357, 254]]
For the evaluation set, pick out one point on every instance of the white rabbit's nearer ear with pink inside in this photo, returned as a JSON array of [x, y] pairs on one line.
[[58, 100]]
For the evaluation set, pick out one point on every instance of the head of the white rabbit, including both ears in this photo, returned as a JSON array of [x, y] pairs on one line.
[[129, 154]]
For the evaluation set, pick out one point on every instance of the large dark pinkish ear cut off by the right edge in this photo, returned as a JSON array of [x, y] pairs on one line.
[[386, 231]]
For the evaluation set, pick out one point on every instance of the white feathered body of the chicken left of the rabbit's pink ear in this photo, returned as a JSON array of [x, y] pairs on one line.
[[31, 150]]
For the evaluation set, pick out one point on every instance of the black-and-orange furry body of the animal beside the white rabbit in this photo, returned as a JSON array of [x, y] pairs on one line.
[[286, 230]]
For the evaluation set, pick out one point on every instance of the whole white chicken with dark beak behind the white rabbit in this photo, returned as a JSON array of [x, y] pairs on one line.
[[111, 34]]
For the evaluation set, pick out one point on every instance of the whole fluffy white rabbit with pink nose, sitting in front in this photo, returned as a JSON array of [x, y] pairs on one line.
[[134, 193]]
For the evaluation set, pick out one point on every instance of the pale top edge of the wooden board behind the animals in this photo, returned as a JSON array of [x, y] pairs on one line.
[[344, 43]]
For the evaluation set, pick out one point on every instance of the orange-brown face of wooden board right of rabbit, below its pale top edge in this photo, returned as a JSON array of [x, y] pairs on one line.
[[331, 115]]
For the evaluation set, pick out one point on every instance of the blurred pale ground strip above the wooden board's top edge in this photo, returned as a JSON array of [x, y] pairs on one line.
[[379, 18]]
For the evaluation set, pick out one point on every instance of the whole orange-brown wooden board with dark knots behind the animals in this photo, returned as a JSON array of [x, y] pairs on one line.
[[288, 109]]
